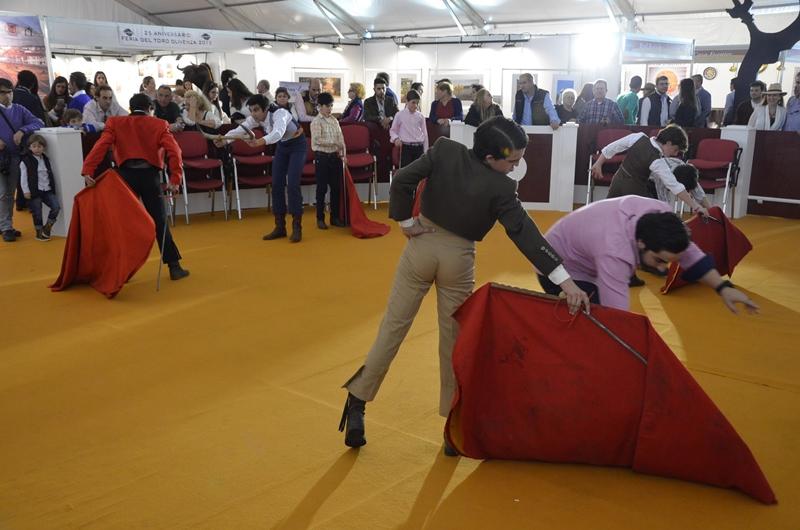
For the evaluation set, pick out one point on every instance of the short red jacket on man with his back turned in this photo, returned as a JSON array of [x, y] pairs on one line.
[[137, 136]]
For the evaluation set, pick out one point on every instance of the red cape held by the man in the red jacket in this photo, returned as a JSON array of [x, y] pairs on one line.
[[109, 239]]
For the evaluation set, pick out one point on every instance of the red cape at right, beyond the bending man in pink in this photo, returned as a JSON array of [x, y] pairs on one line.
[[726, 243]]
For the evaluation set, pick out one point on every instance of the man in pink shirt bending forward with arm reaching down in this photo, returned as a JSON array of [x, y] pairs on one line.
[[604, 242]]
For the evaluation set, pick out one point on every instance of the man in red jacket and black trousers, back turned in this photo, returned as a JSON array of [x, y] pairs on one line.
[[139, 142]]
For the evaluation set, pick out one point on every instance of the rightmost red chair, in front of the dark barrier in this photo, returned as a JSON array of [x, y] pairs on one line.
[[713, 157]]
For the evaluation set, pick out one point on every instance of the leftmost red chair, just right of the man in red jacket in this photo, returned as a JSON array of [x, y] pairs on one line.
[[194, 151]]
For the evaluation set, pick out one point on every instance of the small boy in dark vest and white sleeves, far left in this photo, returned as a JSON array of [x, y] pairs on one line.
[[38, 185]]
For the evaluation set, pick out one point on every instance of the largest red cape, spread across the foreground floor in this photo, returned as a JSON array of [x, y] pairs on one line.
[[534, 385]]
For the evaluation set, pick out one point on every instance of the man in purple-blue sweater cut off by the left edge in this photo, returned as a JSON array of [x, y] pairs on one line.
[[15, 122]]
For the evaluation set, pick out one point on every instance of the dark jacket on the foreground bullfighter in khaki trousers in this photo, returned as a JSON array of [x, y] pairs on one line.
[[466, 197]]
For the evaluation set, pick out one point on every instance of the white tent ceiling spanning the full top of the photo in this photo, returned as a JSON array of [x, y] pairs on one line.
[[702, 20]]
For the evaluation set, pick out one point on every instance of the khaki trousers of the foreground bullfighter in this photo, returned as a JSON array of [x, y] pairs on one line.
[[438, 257]]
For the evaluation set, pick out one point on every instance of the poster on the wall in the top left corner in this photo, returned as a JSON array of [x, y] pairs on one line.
[[22, 47]]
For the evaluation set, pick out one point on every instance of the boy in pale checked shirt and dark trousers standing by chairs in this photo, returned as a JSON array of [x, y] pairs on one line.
[[327, 142]]
